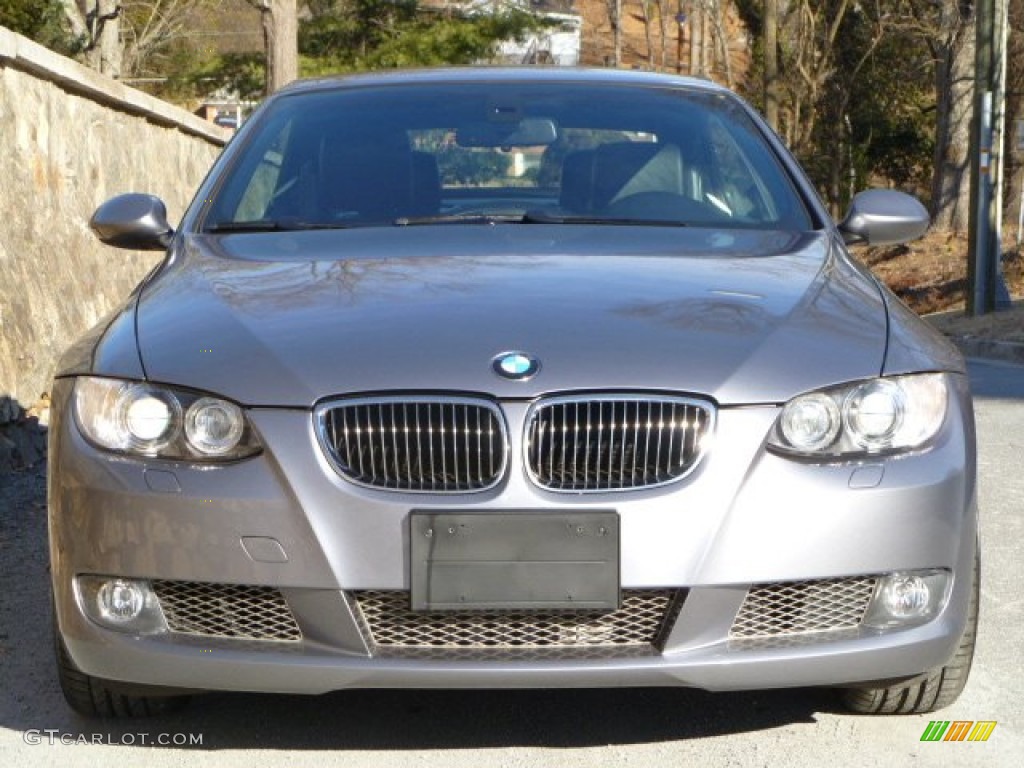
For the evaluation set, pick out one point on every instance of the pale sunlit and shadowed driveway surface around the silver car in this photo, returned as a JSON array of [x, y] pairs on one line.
[[639, 728]]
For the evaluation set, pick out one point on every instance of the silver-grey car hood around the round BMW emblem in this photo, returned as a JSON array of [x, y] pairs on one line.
[[289, 319]]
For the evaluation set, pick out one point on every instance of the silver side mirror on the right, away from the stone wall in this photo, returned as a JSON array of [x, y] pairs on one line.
[[884, 218]]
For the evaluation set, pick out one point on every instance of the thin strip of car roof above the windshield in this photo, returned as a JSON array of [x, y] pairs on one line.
[[503, 75]]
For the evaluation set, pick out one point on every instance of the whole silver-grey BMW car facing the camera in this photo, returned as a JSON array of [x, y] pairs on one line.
[[511, 378]]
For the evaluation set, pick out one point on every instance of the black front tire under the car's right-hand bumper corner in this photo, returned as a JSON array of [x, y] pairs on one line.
[[932, 691]]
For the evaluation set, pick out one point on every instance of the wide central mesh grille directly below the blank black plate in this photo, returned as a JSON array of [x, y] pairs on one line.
[[644, 620]]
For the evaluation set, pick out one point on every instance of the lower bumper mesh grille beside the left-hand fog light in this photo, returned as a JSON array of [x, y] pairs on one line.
[[227, 611]]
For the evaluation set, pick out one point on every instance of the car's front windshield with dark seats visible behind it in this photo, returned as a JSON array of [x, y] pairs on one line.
[[519, 153]]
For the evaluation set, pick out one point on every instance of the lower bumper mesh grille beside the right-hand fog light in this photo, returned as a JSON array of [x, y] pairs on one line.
[[803, 608]]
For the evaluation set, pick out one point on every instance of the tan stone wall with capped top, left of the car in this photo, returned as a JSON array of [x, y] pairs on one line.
[[72, 139]]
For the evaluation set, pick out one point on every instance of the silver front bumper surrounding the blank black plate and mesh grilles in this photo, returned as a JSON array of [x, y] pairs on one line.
[[745, 518]]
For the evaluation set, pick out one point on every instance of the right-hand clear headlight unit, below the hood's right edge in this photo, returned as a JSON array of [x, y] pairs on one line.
[[878, 416]]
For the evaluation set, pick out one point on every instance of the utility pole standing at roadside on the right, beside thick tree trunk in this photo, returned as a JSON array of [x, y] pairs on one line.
[[987, 288]]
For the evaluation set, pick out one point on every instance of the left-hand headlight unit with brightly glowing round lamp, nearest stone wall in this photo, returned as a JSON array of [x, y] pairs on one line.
[[144, 419]]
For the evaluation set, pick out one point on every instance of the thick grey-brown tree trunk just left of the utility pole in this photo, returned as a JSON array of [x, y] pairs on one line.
[[954, 92]]
